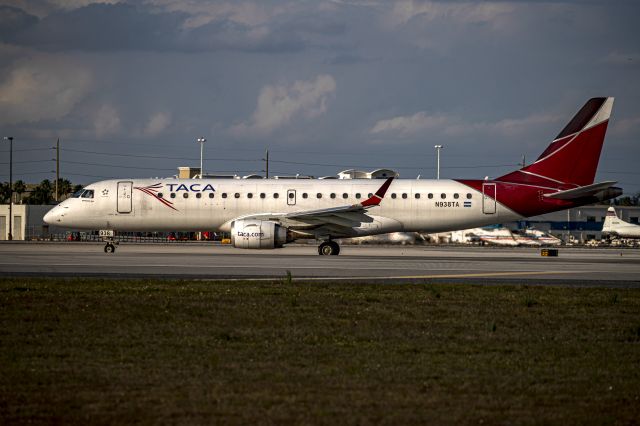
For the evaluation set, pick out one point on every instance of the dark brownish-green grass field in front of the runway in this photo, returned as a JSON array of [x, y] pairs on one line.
[[105, 351]]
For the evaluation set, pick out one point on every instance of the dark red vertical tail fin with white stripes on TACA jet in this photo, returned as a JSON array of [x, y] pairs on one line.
[[572, 158]]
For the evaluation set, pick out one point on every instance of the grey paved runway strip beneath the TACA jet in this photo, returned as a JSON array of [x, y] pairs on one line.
[[387, 264]]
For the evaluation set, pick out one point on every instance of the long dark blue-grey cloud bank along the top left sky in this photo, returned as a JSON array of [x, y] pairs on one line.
[[122, 27]]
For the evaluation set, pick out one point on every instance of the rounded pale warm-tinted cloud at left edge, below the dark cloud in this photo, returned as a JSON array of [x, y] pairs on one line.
[[42, 88]]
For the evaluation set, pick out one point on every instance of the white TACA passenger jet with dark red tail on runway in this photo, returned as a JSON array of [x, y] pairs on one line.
[[269, 213]]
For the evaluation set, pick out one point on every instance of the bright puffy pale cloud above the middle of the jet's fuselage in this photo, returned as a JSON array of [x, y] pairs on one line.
[[278, 105]]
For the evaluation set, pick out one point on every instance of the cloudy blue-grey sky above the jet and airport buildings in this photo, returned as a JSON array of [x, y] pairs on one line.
[[326, 85]]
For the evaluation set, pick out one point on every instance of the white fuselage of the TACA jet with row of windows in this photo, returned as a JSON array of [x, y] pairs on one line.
[[212, 204]]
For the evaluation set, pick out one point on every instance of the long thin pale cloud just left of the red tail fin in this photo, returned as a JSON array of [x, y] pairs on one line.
[[423, 124]]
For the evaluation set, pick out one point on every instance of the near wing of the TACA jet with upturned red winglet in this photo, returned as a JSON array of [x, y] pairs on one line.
[[334, 221]]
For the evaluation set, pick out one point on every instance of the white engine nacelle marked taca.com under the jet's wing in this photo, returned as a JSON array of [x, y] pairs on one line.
[[257, 234]]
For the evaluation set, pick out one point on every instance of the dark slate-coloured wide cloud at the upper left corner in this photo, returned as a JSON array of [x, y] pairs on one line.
[[170, 26]]
